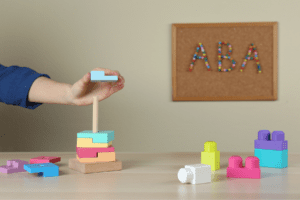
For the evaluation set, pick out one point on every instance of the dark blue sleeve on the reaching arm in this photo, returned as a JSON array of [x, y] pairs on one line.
[[15, 83]]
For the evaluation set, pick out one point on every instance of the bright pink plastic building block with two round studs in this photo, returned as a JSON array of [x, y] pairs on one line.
[[236, 169]]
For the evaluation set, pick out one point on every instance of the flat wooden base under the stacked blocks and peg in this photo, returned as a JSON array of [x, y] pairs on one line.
[[95, 166]]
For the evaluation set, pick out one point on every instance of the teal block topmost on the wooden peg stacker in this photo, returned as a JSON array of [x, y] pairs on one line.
[[98, 137]]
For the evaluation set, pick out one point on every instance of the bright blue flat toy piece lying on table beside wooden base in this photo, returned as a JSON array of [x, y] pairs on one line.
[[45, 169]]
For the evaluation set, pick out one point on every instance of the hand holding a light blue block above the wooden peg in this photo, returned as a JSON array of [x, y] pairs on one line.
[[82, 92]]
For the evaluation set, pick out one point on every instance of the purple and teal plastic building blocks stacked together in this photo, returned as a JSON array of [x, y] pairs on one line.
[[271, 153]]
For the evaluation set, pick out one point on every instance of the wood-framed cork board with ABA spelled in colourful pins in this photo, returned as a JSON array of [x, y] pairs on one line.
[[203, 85]]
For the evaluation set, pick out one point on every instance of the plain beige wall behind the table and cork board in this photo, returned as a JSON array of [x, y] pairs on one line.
[[66, 39]]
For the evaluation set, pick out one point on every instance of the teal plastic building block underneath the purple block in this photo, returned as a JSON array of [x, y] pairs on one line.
[[272, 158]]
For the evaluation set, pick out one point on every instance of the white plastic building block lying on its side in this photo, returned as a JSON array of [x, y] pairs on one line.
[[195, 174]]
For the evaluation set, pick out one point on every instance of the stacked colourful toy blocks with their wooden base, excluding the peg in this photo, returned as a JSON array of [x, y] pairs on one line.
[[95, 153]]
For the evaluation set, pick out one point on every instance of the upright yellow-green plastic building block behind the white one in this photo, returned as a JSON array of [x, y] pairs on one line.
[[210, 155]]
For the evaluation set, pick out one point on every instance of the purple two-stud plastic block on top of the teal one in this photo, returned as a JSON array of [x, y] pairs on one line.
[[264, 141]]
